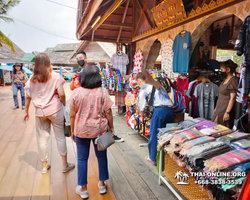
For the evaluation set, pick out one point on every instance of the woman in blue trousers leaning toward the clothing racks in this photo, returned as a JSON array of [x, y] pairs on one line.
[[156, 102]]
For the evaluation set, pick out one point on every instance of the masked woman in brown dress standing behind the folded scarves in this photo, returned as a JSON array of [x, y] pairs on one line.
[[224, 113]]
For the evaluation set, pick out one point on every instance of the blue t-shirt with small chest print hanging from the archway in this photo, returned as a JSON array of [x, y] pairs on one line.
[[181, 49]]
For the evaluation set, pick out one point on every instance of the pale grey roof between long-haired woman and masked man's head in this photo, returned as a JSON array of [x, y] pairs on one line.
[[62, 53]]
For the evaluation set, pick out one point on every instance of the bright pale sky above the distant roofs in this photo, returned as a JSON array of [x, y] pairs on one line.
[[45, 15]]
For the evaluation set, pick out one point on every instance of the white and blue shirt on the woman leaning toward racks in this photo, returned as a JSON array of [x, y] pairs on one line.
[[161, 98]]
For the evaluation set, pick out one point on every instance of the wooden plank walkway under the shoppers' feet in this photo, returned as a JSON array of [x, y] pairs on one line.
[[131, 177]]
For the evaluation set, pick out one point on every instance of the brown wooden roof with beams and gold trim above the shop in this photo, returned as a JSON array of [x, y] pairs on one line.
[[124, 21]]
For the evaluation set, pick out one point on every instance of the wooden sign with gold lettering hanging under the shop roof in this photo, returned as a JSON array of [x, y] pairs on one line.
[[168, 12]]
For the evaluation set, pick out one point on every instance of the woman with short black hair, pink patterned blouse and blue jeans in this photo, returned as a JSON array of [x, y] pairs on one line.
[[90, 116]]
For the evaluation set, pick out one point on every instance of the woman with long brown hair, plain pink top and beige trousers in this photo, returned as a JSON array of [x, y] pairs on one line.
[[45, 90]]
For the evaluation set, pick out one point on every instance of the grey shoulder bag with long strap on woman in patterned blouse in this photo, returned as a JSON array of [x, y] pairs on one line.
[[106, 140]]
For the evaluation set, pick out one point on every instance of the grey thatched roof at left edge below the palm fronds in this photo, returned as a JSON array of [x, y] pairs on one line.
[[7, 56]]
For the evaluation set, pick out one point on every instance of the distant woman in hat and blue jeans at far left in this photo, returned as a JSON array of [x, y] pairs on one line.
[[19, 80]]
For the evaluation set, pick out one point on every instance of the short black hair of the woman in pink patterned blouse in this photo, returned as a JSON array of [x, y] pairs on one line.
[[90, 77]]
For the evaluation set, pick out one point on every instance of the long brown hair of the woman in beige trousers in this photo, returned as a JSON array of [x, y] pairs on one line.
[[42, 70]]
